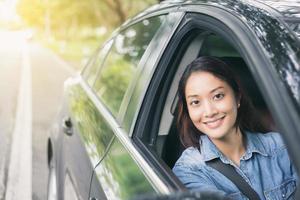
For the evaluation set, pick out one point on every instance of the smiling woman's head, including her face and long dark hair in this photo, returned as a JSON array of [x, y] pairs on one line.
[[220, 100]]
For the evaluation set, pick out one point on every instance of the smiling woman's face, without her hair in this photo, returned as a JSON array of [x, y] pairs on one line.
[[212, 105]]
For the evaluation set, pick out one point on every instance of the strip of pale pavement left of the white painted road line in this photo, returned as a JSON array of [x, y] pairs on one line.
[[10, 61]]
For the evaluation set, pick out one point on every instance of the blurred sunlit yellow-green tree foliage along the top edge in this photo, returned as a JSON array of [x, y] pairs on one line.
[[67, 16]]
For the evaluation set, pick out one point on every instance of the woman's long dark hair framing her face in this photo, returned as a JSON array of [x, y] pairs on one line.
[[247, 117]]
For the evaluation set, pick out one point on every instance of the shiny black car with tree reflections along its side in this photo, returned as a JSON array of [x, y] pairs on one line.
[[116, 135]]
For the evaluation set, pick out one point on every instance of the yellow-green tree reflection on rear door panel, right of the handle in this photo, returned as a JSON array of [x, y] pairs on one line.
[[90, 124]]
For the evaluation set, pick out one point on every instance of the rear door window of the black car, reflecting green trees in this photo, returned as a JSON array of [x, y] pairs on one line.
[[121, 64]]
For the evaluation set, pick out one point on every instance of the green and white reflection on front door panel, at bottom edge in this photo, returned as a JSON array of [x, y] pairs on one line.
[[119, 175]]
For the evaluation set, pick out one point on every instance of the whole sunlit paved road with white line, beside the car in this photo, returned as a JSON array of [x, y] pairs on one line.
[[31, 83]]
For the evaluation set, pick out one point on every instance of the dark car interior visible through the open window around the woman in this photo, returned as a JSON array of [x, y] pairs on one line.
[[168, 145]]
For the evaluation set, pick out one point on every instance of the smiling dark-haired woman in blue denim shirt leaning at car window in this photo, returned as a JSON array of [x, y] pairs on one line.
[[215, 122]]
